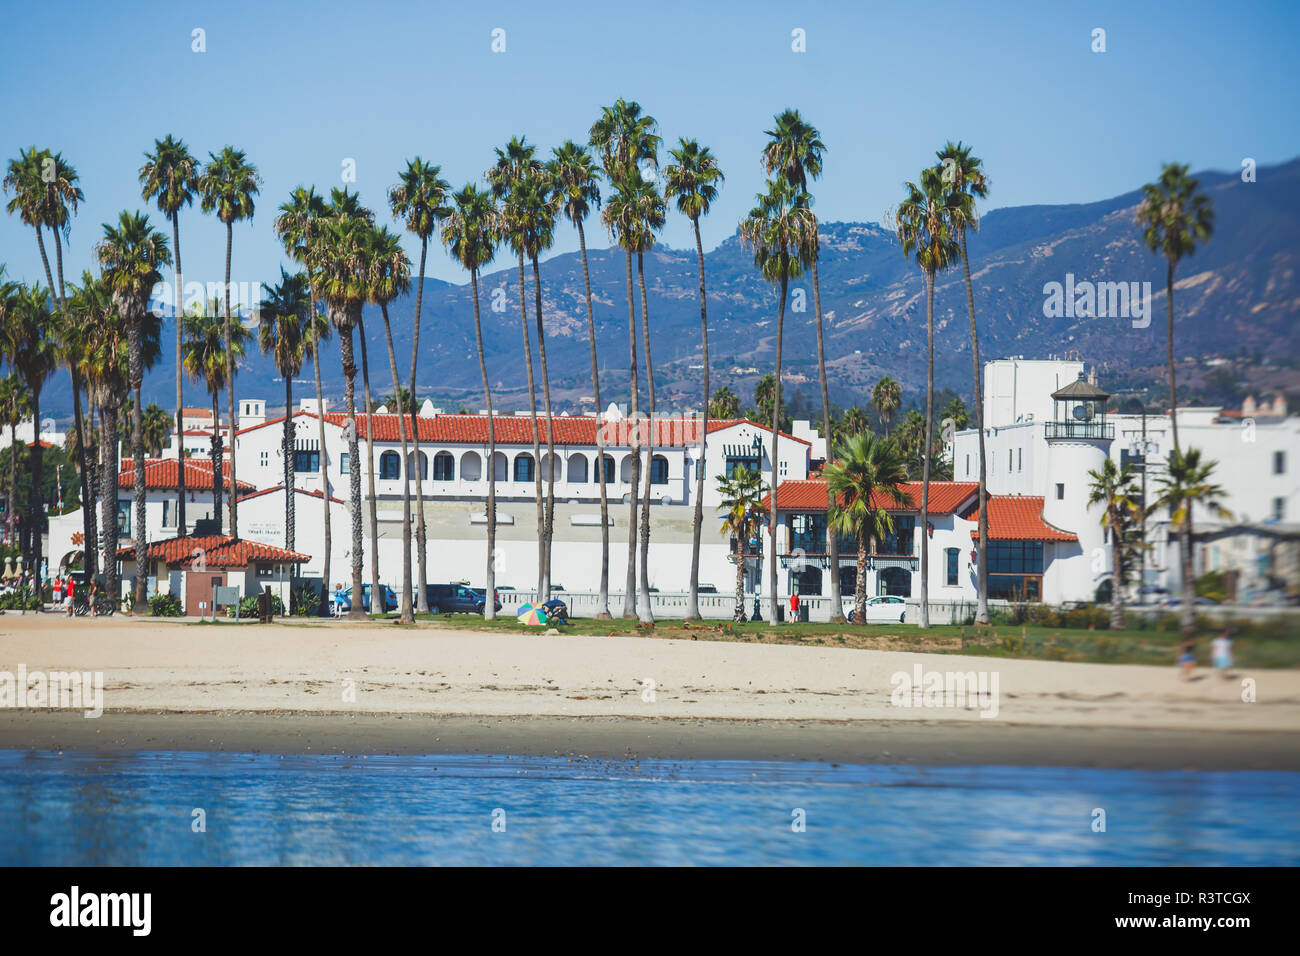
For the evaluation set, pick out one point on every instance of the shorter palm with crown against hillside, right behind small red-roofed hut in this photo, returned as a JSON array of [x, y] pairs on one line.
[[284, 319]]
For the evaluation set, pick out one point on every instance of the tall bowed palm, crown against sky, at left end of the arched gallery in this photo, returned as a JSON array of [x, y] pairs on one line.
[[421, 202]]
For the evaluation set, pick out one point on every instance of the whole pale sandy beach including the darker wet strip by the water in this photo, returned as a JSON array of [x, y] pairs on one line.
[[375, 687]]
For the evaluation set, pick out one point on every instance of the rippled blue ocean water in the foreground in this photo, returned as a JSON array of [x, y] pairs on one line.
[[268, 810]]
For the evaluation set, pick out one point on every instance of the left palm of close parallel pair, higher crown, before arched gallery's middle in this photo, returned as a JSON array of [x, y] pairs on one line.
[[515, 167]]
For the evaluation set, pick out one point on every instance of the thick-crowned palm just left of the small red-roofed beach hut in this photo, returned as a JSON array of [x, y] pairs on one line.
[[132, 256]]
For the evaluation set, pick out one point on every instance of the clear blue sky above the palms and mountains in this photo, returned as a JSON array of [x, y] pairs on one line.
[[305, 86]]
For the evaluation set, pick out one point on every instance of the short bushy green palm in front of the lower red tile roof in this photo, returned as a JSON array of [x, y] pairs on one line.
[[865, 481]]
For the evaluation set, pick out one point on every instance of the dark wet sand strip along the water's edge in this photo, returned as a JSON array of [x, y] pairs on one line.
[[922, 743]]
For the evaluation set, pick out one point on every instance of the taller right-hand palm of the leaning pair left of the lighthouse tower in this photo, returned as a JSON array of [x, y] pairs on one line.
[[964, 176]]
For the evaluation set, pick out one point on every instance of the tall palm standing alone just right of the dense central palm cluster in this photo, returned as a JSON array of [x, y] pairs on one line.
[[692, 180]]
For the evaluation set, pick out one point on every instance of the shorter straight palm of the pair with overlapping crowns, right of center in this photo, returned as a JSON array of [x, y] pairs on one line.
[[779, 231]]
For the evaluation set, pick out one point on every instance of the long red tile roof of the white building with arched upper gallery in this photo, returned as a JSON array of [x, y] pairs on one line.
[[518, 430]]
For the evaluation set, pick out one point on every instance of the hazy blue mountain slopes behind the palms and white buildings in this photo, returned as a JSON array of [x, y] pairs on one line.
[[1238, 295]]
